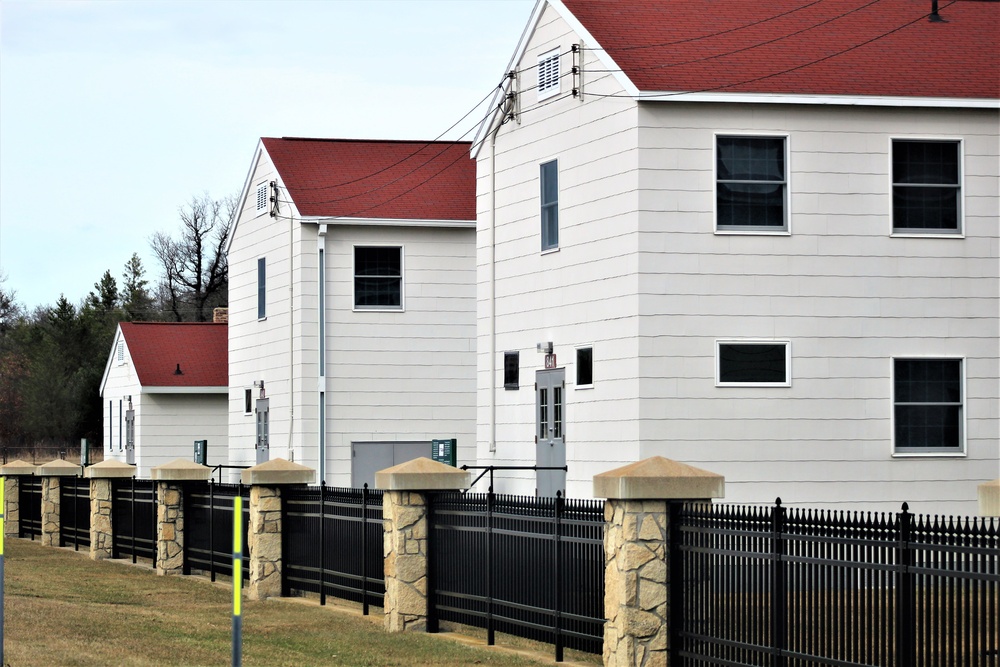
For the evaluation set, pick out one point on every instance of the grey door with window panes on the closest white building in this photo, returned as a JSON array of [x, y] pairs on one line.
[[550, 444]]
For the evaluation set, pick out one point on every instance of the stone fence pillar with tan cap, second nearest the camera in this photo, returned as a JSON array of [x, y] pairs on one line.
[[405, 544]]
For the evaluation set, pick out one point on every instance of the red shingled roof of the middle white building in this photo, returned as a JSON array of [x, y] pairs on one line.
[[416, 180]]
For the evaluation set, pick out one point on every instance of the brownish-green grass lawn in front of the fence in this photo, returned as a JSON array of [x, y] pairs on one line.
[[61, 608]]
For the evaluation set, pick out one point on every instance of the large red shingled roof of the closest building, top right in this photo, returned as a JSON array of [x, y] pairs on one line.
[[830, 47]]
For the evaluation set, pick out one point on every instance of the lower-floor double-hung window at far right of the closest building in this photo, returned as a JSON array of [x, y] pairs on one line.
[[928, 405]]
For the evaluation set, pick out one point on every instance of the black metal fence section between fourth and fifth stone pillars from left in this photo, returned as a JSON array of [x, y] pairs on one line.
[[208, 528]]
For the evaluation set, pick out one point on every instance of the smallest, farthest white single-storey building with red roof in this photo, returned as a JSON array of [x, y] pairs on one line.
[[165, 386]]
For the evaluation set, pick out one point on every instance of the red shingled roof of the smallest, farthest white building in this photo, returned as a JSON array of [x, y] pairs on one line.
[[201, 349]]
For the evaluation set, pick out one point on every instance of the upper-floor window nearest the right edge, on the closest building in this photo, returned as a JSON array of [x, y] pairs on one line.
[[926, 186]]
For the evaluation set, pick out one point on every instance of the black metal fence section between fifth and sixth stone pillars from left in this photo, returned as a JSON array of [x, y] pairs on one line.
[[332, 543]]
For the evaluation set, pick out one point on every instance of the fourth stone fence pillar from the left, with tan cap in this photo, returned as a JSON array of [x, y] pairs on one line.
[[170, 478]]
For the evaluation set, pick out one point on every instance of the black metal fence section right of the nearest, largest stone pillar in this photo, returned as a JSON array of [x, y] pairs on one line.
[[771, 586]]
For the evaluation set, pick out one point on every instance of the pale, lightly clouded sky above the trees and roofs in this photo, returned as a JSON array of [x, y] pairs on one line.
[[114, 114]]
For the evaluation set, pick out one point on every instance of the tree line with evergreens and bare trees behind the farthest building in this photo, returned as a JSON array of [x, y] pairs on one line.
[[52, 358]]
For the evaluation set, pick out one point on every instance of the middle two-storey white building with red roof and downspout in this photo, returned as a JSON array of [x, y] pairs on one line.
[[352, 311]]
